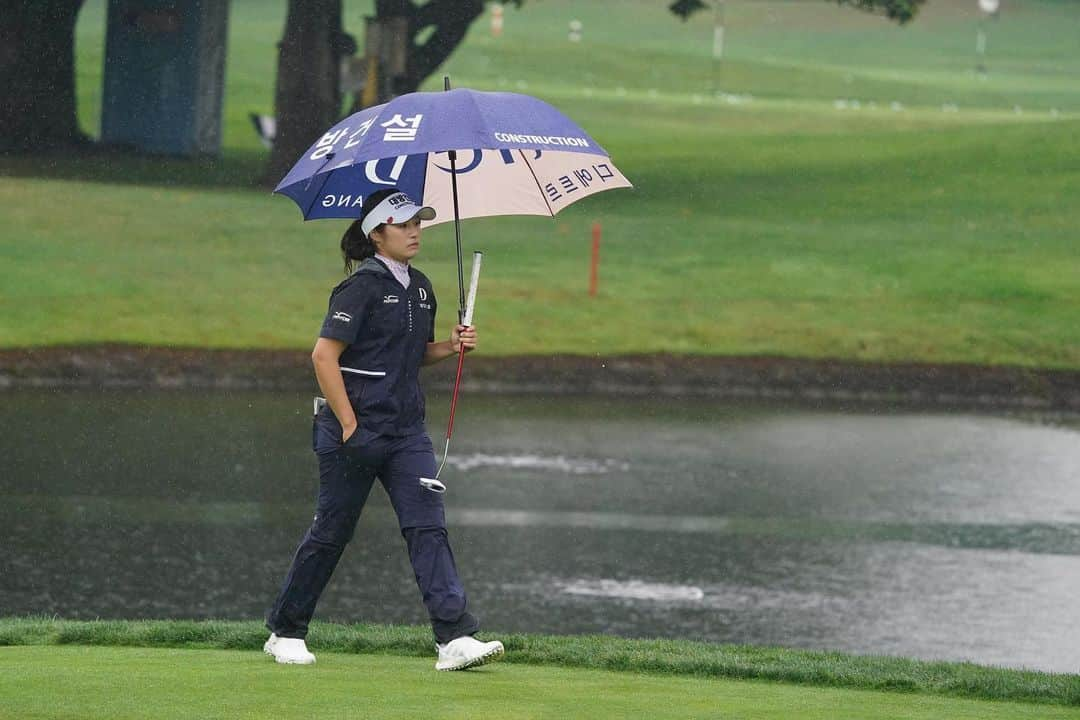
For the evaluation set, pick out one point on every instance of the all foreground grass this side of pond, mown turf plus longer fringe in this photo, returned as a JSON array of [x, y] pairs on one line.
[[214, 665]]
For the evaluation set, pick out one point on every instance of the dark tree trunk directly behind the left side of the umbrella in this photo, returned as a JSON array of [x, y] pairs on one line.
[[308, 98]]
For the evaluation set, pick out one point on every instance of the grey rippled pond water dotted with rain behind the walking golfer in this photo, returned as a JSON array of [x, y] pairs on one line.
[[938, 536]]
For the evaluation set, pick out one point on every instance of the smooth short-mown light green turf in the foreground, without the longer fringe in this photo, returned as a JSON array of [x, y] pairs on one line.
[[130, 683]]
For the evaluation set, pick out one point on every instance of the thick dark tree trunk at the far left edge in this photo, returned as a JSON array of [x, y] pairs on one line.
[[37, 75]]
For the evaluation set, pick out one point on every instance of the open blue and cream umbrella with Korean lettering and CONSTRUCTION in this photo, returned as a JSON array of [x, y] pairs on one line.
[[465, 153]]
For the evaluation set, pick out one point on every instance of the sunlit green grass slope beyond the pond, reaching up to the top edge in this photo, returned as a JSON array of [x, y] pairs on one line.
[[780, 226]]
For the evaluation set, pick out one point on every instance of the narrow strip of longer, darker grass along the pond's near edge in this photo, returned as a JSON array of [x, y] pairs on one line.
[[654, 658]]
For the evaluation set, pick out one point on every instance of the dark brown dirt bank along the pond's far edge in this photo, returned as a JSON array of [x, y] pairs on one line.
[[776, 378]]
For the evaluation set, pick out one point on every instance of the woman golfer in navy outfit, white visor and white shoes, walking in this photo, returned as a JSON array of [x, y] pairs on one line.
[[380, 330]]
